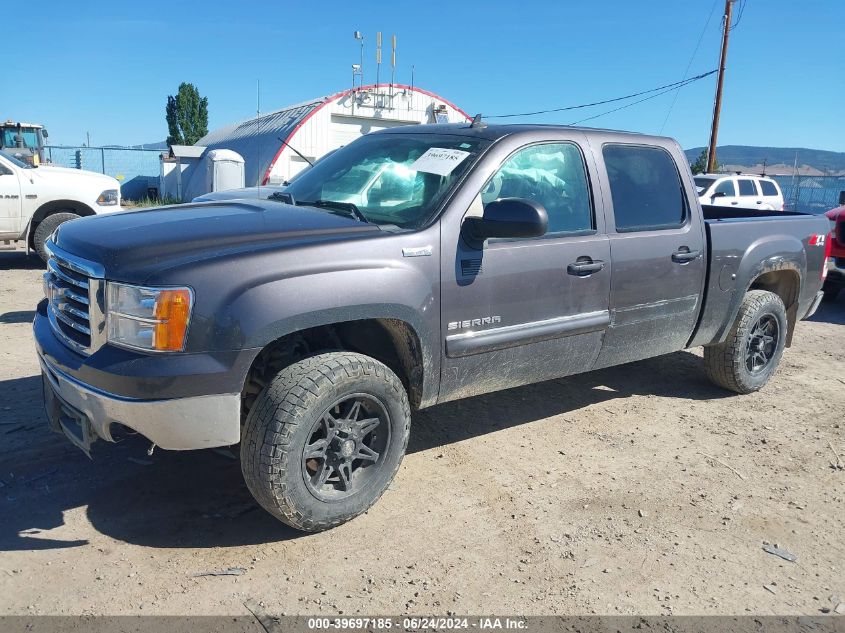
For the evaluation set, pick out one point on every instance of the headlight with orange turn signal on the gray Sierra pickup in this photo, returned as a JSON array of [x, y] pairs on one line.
[[154, 319]]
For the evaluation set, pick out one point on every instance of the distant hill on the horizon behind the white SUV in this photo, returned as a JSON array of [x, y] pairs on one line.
[[778, 160]]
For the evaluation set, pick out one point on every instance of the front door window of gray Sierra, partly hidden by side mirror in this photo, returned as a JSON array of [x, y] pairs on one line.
[[552, 174]]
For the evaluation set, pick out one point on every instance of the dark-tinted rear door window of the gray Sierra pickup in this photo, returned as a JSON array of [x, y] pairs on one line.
[[645, 187]]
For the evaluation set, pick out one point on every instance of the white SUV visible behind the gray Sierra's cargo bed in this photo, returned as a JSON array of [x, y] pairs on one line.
[[747, 191]]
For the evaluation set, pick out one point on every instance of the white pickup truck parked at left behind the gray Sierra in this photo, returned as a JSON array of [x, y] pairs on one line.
[[35, 200]]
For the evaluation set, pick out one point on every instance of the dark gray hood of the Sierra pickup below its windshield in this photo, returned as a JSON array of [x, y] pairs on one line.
[[132, 246]]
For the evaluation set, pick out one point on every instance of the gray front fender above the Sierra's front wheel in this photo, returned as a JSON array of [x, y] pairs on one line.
[[251, 302]]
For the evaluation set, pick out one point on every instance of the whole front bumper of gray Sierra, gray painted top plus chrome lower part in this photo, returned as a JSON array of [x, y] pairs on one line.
[[177, 401]]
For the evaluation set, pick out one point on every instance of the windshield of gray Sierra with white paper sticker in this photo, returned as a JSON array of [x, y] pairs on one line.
[[398, 179]]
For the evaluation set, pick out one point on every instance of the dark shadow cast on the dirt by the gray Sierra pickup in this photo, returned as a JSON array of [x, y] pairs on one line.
[[198, 499]]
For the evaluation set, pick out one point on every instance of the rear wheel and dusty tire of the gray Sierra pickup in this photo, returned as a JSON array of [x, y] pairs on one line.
[[753, 349]]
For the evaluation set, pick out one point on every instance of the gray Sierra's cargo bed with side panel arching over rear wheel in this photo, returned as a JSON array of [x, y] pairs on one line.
[[743, 243]]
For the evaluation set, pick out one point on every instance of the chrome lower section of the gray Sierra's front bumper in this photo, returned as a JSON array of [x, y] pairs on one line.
[[84, 414]]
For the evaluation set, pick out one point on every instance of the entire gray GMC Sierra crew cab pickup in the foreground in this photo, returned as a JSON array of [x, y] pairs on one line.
[[412, 267]]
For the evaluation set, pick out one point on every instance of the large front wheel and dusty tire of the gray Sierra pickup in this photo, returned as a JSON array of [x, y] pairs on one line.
[[310, 407]]
